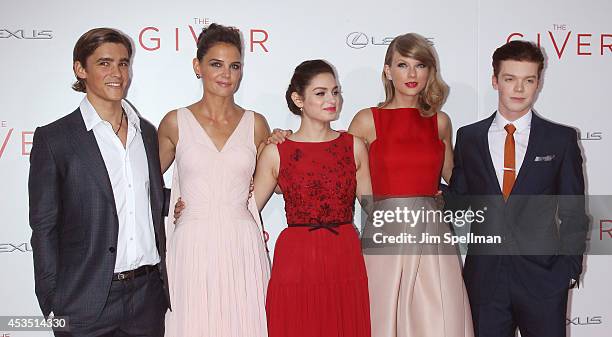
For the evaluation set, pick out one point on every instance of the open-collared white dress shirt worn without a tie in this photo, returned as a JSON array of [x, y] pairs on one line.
[[128, 171]]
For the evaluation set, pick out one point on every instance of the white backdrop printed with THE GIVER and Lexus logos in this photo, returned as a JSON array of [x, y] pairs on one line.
[[37, 38]]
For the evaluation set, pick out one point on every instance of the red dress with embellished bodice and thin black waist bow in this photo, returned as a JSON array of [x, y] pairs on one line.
[[318, 286]]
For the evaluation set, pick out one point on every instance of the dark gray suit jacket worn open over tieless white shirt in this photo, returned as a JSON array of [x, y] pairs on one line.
[[74, 218]]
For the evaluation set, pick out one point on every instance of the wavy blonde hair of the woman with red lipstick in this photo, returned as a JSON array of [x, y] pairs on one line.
[[412, 45]]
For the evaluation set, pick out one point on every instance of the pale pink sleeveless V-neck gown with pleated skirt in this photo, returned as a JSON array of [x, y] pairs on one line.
[[218, 267]]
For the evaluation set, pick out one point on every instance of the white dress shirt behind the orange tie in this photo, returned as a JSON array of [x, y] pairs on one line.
[[497, 140]]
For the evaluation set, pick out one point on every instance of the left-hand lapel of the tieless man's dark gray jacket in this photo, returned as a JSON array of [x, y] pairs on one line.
[[85, 145]]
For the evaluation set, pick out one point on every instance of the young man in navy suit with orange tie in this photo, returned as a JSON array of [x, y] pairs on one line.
[[528, 173]]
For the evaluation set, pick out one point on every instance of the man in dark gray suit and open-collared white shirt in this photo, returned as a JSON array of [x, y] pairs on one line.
[[95, 193]]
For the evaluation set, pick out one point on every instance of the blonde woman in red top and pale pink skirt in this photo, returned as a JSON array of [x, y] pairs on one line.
[[415, 289]]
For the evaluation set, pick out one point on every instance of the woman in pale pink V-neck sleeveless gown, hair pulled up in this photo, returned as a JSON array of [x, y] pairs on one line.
[[218, 268]]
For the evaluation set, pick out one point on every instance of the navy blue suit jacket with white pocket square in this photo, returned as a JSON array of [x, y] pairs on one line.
[[550, 184]]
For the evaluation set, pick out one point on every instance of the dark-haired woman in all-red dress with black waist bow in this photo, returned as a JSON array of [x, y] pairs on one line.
[[318, 285]]
